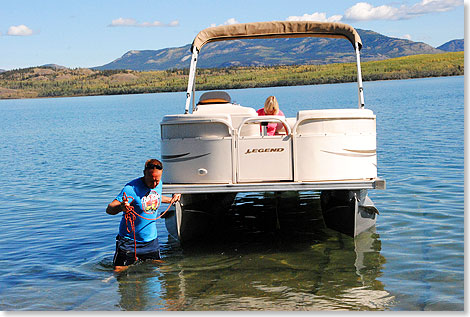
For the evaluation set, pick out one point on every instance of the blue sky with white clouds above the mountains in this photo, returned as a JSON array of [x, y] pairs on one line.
[[90, 33]]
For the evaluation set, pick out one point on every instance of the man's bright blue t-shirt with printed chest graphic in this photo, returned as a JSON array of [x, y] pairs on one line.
[[145, 202]]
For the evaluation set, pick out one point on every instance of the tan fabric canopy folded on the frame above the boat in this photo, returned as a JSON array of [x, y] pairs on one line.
[[277, 29]]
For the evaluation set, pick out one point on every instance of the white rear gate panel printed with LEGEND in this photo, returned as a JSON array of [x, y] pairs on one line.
[[265, 159]]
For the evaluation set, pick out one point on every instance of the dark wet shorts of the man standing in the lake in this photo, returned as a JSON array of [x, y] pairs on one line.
[[125, 255]]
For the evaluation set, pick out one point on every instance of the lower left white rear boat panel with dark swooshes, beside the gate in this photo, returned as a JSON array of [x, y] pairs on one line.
[[197, 160]]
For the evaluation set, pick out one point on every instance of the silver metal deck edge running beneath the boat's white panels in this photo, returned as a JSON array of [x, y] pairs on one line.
[[376, 183]]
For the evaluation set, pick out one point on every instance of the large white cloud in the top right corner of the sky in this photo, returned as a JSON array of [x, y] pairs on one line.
[[364, 11]]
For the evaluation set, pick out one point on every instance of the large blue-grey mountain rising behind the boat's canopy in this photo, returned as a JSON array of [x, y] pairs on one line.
[[269, 52]]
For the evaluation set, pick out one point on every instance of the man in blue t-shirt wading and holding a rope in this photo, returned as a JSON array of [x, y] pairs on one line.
[[139, 201]]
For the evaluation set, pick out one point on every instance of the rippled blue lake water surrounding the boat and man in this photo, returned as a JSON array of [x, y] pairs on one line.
[[63, 160]]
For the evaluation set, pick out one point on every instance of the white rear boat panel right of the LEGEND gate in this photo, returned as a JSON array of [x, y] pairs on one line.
[[335, 144]]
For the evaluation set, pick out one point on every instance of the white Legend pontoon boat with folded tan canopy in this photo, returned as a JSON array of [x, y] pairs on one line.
[[218, 149]]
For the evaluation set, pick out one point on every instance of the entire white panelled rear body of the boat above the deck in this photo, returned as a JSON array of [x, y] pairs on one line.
[[328, 145]]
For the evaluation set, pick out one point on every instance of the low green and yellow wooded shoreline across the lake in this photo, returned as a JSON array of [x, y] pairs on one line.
[[47, 82]]
